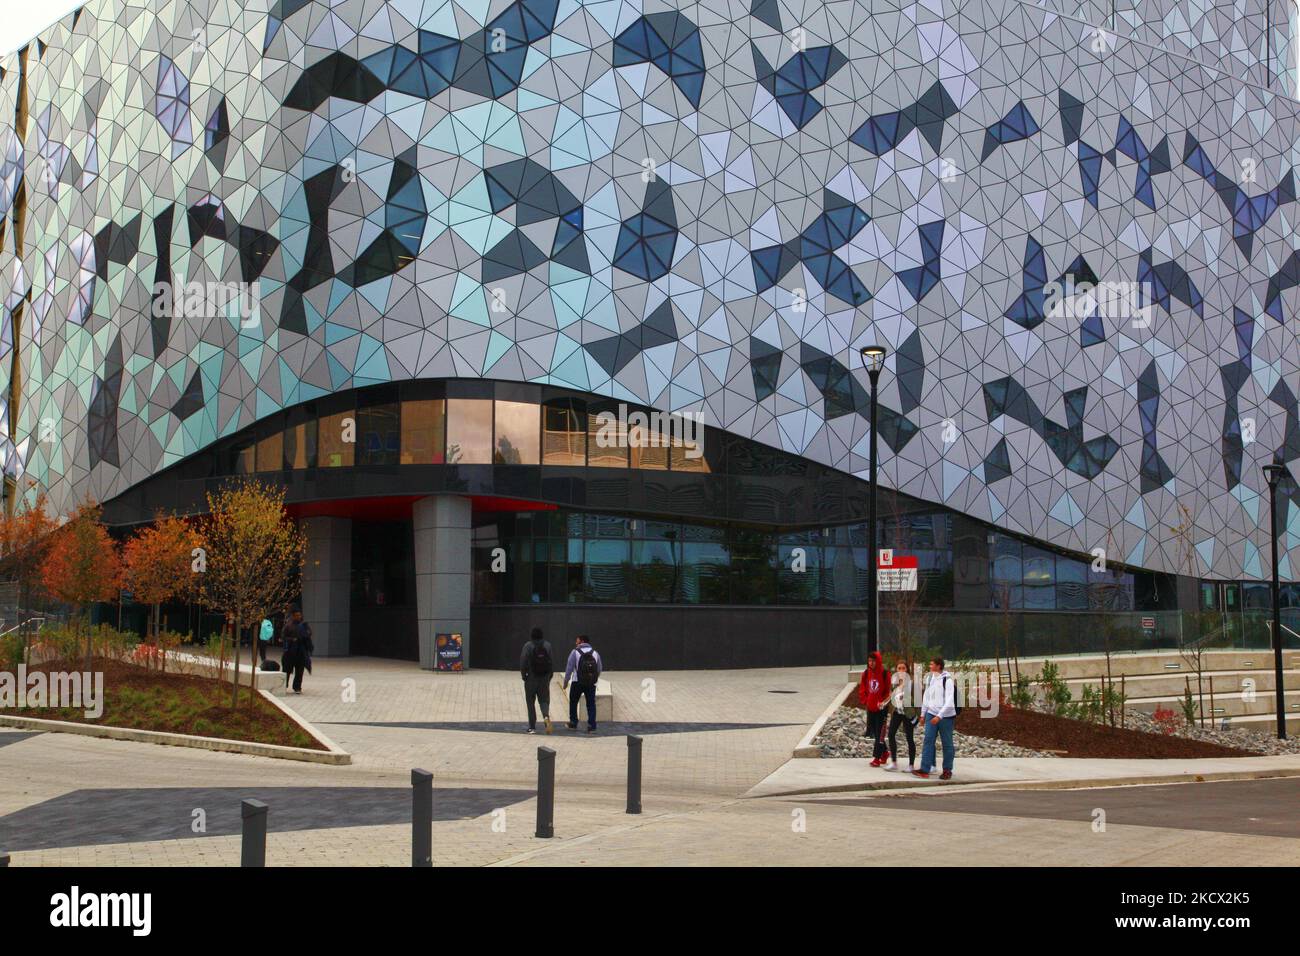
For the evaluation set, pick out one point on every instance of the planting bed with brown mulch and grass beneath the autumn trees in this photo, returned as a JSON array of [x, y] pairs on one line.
[[144, 699]]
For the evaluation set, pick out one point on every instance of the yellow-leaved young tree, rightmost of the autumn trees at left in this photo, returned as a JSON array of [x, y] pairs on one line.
[[252, 561]]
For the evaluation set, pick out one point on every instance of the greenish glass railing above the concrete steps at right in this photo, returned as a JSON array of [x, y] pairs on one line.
[[1039, 634]]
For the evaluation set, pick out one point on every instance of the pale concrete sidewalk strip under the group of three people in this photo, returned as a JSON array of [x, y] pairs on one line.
[[846, 775]]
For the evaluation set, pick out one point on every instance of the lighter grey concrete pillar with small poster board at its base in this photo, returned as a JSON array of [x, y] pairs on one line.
[[443, 572]]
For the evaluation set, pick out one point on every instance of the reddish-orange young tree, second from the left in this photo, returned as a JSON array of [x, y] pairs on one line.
[[83, 566]]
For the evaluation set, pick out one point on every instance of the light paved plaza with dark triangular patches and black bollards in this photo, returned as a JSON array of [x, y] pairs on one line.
[[710, 737]]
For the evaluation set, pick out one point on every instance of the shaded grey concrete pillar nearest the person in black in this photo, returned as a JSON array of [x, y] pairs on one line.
[[328, 585]]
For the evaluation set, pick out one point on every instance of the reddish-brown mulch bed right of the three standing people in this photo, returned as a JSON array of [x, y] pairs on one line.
[[1072, 738]]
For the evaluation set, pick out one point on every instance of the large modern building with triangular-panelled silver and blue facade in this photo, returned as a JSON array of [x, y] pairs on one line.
[[448, 270]]
